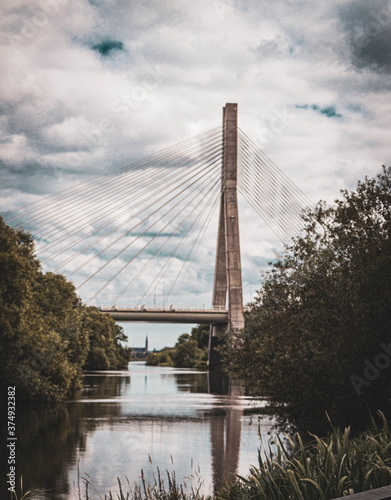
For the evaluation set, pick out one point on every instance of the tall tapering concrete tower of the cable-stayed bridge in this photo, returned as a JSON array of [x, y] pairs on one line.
[[228, 270]]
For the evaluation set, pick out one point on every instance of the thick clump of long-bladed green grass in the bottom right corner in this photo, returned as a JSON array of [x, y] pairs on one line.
[[325, 469]]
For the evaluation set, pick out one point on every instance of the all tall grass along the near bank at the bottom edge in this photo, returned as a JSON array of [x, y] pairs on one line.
[[287, 469]]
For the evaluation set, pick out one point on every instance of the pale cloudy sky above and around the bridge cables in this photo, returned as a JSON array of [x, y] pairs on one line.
[[87, 86]]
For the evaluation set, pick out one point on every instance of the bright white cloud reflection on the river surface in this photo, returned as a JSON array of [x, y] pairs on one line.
[[167, 415]]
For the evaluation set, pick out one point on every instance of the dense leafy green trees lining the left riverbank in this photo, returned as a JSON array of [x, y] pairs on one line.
[[48, 337]]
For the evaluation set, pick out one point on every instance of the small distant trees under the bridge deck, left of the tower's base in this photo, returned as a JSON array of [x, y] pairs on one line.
[[190, 350]]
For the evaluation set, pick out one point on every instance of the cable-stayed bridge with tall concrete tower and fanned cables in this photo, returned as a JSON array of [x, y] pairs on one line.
[[140, 225]]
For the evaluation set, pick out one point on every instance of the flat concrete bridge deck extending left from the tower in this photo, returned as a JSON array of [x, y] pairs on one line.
[[170, 315]]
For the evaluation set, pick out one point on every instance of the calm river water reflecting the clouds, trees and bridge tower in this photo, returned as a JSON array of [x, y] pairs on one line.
[[182, 420]]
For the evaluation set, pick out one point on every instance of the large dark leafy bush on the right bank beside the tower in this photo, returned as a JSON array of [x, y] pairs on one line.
[[323, 316]]
